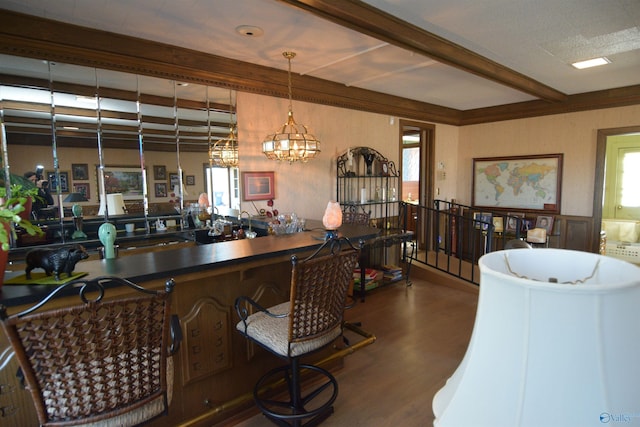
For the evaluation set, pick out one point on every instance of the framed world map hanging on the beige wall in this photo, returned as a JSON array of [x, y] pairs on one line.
[[529, 183]]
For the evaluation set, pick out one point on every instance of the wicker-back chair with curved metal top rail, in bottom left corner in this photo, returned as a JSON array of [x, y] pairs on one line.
[[102, 362]]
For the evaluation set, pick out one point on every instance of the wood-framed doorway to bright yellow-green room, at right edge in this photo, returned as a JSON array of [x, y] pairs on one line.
[[613, 146]]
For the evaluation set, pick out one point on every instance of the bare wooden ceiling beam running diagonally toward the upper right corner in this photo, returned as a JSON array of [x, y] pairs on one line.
[[366, 19]]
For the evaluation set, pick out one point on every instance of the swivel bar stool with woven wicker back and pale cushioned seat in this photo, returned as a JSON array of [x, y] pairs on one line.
[[311, 320]]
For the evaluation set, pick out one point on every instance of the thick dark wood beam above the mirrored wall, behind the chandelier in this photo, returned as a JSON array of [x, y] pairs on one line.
[[41, 38]]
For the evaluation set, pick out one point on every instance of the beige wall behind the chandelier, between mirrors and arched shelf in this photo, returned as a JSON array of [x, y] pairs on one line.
[[306, 188]]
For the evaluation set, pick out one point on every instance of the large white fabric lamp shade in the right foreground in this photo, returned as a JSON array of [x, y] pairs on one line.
[[548, 354]]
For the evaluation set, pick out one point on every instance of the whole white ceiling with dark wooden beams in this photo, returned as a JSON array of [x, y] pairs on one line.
[[445, 61]]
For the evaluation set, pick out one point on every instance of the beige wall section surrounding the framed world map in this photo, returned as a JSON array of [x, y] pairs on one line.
[[573, 134]]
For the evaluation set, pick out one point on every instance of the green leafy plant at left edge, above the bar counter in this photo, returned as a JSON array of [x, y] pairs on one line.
[[10, 208]]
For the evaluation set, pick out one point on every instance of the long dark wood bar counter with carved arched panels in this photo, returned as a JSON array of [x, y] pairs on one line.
[[215, 368]]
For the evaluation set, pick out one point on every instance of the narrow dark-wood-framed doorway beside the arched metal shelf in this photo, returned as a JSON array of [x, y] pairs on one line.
[[417, 147]]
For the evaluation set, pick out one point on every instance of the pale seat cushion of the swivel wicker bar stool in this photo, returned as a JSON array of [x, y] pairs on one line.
[[273, 333]]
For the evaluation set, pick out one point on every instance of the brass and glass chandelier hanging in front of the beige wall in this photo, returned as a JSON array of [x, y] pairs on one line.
[[292, 142]]
